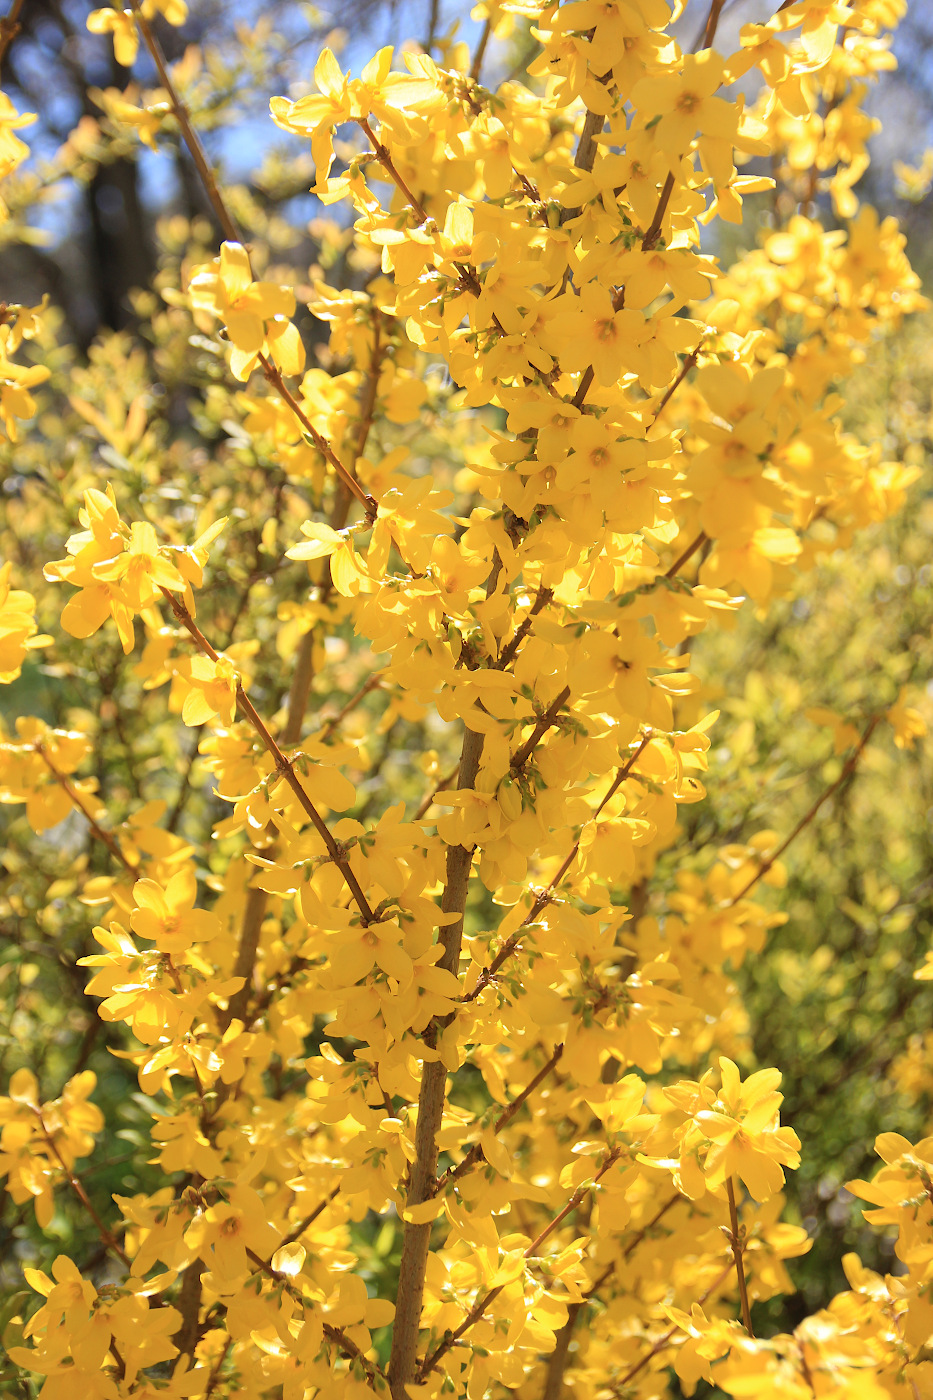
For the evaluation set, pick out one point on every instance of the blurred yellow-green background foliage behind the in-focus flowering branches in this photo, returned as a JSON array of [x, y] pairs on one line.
[[107, 229]]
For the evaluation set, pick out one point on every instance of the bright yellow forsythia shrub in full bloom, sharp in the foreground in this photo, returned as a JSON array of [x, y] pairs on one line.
[[439, 1083]]
